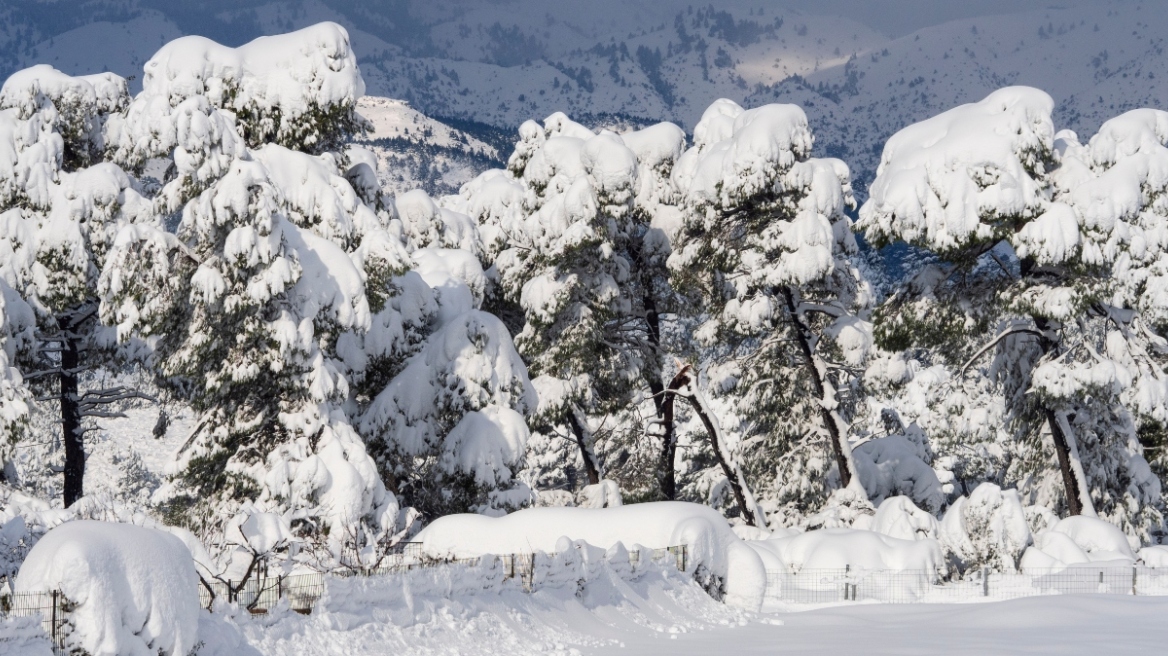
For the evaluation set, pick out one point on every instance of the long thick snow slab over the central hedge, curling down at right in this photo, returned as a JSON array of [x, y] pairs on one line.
[[712, 545]]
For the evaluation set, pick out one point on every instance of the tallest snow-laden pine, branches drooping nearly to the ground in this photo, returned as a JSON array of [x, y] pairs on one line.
[[252, 301]]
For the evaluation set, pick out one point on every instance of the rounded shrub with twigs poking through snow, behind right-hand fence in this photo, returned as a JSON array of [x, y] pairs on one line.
[[988, 529]]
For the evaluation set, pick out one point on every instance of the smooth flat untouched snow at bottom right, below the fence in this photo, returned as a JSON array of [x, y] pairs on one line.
[[1069, 625]]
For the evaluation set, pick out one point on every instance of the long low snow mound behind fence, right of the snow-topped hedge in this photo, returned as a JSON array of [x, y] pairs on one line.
[[856, 549]]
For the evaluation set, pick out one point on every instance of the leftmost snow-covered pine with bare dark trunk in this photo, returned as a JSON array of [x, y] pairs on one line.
[[62, 206]]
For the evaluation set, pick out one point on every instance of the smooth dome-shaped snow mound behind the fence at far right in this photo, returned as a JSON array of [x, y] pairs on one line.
[[1079, 541]]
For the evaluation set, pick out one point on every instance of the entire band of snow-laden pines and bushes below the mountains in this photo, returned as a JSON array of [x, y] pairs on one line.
[[219, 325]]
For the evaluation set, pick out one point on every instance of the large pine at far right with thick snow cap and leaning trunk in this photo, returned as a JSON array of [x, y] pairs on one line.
[[1047, 247]]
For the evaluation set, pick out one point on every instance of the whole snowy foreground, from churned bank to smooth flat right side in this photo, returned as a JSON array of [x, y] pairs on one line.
[[680, 620]]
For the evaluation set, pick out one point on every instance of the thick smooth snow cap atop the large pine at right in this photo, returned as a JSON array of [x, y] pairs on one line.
[[964, 176]]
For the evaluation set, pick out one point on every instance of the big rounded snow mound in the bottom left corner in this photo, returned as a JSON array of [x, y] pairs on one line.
[[135, 588]]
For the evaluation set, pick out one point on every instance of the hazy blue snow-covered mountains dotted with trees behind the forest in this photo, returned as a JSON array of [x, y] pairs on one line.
[[613, 62]]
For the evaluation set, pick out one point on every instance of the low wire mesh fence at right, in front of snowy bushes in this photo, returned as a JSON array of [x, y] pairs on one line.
[[922, 587]]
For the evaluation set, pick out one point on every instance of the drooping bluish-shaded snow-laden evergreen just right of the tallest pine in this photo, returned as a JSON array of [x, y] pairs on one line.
[[450, 429]]
